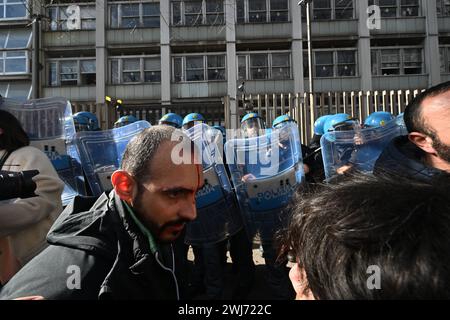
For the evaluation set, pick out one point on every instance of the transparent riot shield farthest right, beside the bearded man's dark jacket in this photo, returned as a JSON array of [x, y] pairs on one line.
[[355, 150]]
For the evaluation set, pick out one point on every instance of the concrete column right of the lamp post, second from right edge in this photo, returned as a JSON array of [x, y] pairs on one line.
[[364, 56]]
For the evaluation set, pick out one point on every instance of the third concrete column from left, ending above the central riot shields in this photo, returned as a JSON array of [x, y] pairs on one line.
[[230, 6]]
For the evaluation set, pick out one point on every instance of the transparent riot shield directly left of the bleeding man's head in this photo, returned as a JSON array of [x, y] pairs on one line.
[[100, 152]]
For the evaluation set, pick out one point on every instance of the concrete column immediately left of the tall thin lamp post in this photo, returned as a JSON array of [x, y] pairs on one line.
[[297, 47]]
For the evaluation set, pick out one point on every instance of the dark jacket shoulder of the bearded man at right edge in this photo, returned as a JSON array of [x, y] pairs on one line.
[[403, 158]]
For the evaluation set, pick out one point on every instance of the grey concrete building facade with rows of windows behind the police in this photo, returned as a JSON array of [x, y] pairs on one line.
[[185, 55]]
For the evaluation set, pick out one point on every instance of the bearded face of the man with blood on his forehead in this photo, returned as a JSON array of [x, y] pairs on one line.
[[166, 201]]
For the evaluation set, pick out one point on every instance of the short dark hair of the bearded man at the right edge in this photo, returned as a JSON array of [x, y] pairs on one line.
[[413, 113]]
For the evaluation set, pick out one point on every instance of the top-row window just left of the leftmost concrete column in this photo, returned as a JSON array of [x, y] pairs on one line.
[[74, 17]]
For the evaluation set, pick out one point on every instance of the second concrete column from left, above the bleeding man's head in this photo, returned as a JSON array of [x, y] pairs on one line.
[[165, 52]]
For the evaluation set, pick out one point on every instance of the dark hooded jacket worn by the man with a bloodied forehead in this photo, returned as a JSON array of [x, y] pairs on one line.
[[98, 240]]
